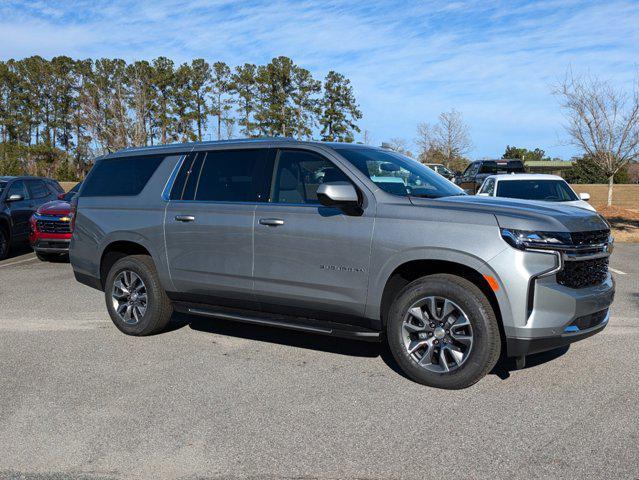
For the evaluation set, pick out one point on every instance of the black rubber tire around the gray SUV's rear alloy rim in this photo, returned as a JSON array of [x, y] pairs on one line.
[[158, 307]]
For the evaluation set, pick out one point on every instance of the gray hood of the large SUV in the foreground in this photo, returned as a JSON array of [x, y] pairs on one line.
[[523, 214]]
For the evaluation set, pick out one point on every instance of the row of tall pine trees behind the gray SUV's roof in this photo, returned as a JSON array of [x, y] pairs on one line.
[[57, 115]]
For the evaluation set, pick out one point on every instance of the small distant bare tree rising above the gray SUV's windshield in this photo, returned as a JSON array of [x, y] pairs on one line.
[[450, 136]]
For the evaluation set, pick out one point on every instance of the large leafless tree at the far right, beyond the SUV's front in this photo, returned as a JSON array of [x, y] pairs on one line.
[[602, 121]]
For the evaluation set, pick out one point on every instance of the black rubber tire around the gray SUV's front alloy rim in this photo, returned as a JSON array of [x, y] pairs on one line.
[[486, 343]]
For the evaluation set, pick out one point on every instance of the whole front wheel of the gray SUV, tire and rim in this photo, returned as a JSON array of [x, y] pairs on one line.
[[442, 332]]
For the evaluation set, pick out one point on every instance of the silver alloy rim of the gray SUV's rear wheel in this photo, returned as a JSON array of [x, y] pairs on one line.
[[129, 297]]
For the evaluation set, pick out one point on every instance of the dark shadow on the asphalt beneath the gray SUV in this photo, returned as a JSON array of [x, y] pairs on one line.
[[335, 345]]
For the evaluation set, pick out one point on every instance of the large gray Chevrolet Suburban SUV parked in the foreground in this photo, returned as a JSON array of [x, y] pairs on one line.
[[344, 240]]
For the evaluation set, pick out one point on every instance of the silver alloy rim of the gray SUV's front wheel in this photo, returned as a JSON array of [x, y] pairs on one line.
[[437, 334]]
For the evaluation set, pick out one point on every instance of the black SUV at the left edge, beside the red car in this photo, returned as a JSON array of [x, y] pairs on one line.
[[19, 198]]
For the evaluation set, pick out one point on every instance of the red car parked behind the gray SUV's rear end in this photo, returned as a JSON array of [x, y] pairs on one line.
[[50, 227]]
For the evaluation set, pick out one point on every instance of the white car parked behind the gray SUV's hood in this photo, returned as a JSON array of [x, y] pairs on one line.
[[534, 186]]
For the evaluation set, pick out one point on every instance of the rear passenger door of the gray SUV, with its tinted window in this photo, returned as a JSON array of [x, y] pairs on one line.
[[209, 224]]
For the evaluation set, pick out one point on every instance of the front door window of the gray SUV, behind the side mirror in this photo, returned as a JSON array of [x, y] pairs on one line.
[[298, 174]]
